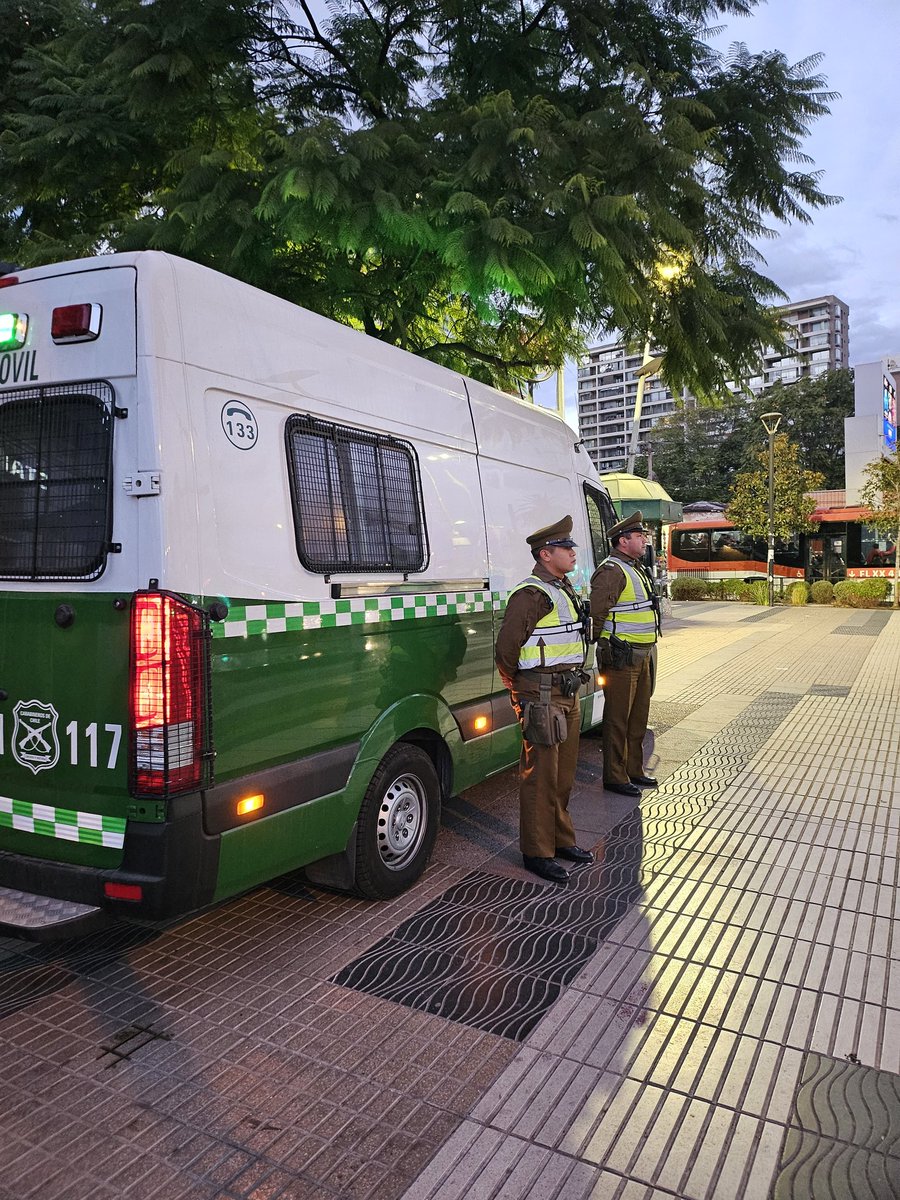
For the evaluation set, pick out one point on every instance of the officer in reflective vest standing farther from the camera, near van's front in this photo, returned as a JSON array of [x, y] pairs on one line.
[[626, 619]]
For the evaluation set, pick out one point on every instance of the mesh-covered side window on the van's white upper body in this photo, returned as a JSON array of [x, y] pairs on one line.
[[357, 500]]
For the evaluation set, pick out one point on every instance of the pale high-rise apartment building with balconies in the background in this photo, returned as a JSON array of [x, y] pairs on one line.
[[608, 383]]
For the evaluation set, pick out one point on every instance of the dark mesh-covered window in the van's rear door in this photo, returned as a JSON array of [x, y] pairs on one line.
[[56, 496]]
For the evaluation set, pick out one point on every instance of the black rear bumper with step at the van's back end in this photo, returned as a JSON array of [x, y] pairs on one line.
[[175, 863]]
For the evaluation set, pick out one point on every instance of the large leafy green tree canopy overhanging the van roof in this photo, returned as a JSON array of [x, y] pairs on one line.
[[481, 182]]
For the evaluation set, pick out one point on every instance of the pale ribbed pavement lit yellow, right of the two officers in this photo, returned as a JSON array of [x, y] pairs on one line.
[[737, 1033]]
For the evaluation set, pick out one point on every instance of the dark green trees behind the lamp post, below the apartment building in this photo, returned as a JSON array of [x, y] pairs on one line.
[[698, 453]]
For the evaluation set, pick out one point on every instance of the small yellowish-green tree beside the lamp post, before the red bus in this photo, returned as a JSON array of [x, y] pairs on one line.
[[749, 506]]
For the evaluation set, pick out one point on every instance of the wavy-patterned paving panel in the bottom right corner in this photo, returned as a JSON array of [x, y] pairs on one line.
[[844, 1135]]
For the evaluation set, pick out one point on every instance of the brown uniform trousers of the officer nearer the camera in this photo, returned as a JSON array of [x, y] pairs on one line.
[[545, 781]]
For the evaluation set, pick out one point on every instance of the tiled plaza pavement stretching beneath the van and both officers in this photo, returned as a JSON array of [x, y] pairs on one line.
[[712, 1010]]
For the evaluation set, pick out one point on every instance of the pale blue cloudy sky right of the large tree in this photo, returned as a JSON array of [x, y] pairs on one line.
[[851, 250]]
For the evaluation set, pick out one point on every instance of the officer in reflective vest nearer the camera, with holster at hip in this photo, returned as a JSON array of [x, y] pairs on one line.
[[541, 655]]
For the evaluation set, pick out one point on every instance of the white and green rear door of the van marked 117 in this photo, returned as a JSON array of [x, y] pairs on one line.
[[67, 386]]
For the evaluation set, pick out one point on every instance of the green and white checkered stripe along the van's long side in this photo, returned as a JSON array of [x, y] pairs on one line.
[[249, 621]]
